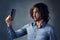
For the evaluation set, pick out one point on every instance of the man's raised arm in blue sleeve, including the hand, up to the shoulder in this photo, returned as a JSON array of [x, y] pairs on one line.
[[11, 32]]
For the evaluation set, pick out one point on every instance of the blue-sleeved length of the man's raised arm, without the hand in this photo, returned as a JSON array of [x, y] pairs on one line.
[[16, 34]]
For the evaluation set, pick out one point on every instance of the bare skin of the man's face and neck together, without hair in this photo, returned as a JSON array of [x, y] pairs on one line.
[[36, 15]]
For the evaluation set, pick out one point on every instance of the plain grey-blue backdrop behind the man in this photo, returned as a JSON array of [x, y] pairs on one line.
[[22, 16]]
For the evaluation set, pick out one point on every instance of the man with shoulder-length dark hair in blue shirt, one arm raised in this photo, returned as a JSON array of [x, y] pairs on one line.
[[39, 29]]
